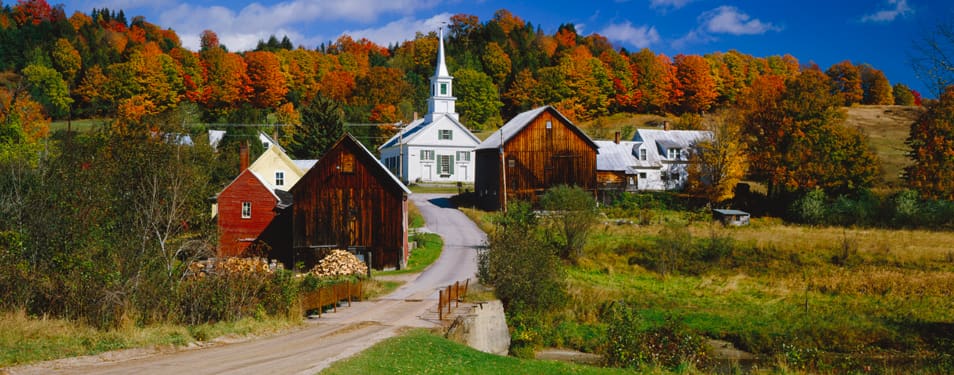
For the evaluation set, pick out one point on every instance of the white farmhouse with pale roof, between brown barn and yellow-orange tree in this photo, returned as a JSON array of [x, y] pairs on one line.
[[659, 157]]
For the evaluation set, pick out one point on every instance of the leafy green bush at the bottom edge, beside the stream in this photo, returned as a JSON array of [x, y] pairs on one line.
[[632, 343]]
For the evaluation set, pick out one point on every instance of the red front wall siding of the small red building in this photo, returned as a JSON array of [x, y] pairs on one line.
[[236, 233]]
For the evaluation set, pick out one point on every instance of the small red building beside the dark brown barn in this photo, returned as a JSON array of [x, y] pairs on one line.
[[248, 211]]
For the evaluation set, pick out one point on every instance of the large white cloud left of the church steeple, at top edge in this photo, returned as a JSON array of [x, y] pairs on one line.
[[240, 30]]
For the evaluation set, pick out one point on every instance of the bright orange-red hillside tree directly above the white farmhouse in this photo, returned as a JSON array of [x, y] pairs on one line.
[[696, 83]]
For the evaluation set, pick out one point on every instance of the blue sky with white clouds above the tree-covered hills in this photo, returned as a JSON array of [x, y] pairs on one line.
[[877, 32]]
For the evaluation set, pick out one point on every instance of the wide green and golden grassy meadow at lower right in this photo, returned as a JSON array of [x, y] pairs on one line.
[[800, 298]]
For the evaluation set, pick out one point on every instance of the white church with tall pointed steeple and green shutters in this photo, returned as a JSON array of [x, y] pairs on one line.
[[436, 148]]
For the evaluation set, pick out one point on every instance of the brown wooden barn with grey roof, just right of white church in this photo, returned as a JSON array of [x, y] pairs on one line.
[[534, 151]]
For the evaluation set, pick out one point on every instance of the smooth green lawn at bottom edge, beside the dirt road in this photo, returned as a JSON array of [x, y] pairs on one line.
[[422, 352]]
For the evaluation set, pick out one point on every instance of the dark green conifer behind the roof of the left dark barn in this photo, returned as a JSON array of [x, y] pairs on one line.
[[322, 123]]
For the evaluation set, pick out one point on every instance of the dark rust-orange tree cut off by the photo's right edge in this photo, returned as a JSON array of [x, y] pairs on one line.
[[932, 149]]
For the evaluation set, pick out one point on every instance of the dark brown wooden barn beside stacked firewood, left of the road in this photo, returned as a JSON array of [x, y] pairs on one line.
[[348, 200]]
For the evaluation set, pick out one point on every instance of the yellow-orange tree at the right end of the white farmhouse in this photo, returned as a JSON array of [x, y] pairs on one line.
[[718, 163]]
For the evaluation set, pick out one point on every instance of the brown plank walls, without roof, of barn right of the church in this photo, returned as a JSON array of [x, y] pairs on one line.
[[538, 158]]
